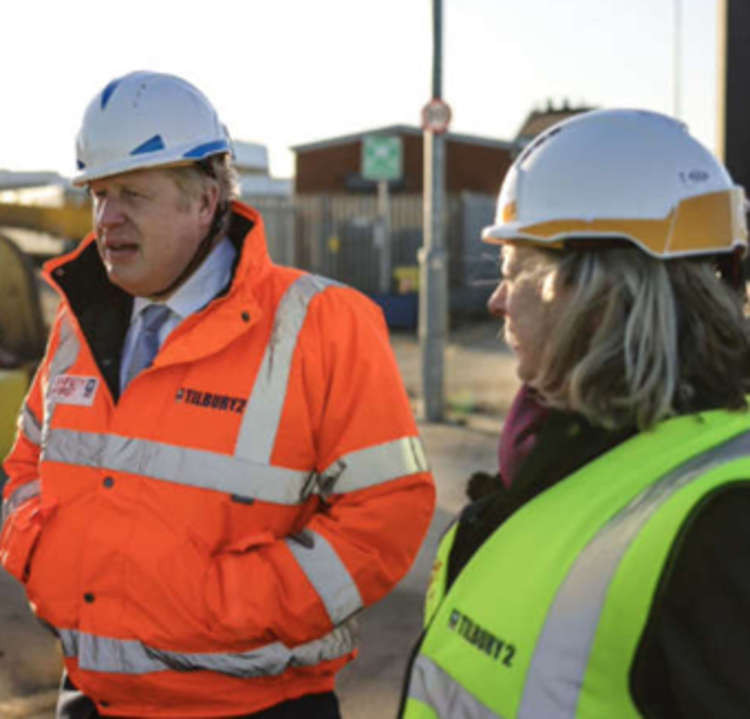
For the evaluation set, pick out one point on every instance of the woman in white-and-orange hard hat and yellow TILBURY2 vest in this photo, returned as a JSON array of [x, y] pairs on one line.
[[607, 576]]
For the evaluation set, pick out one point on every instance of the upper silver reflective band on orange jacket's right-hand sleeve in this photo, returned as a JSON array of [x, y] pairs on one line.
[[383, 462]]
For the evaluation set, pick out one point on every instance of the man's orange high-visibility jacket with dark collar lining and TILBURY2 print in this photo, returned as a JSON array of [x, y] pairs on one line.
[[201, 543]]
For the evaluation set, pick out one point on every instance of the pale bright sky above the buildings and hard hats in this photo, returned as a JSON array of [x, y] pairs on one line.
[[286, 72]]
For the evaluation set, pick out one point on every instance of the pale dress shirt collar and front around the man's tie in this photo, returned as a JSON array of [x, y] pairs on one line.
[[211, 277]]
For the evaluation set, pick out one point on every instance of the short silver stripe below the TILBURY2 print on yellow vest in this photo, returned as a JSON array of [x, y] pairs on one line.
[[434, 687]]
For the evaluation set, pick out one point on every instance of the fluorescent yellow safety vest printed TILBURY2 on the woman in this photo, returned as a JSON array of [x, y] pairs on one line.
[[545, 619]]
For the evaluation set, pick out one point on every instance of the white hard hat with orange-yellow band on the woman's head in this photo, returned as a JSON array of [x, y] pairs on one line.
[[621, 174]]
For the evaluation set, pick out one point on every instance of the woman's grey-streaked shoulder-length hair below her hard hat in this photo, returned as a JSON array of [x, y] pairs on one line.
[[643, 339]]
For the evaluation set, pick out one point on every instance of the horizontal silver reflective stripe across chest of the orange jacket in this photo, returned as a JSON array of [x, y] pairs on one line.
[[170, 463]]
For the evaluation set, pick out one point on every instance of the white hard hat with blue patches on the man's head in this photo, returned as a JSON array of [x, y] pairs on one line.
[[147, 119]]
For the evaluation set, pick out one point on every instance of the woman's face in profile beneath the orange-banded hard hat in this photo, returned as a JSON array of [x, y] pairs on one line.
[[530, 300]]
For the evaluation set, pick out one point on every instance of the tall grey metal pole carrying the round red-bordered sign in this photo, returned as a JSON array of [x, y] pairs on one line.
[[433, 285]]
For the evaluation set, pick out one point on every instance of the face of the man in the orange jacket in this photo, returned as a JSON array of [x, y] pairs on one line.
[[147, 231]]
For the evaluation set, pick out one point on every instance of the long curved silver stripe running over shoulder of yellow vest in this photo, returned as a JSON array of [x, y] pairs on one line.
[[561, 655]]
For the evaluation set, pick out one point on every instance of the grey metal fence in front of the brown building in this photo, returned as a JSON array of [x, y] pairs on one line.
[[336, 236]]
